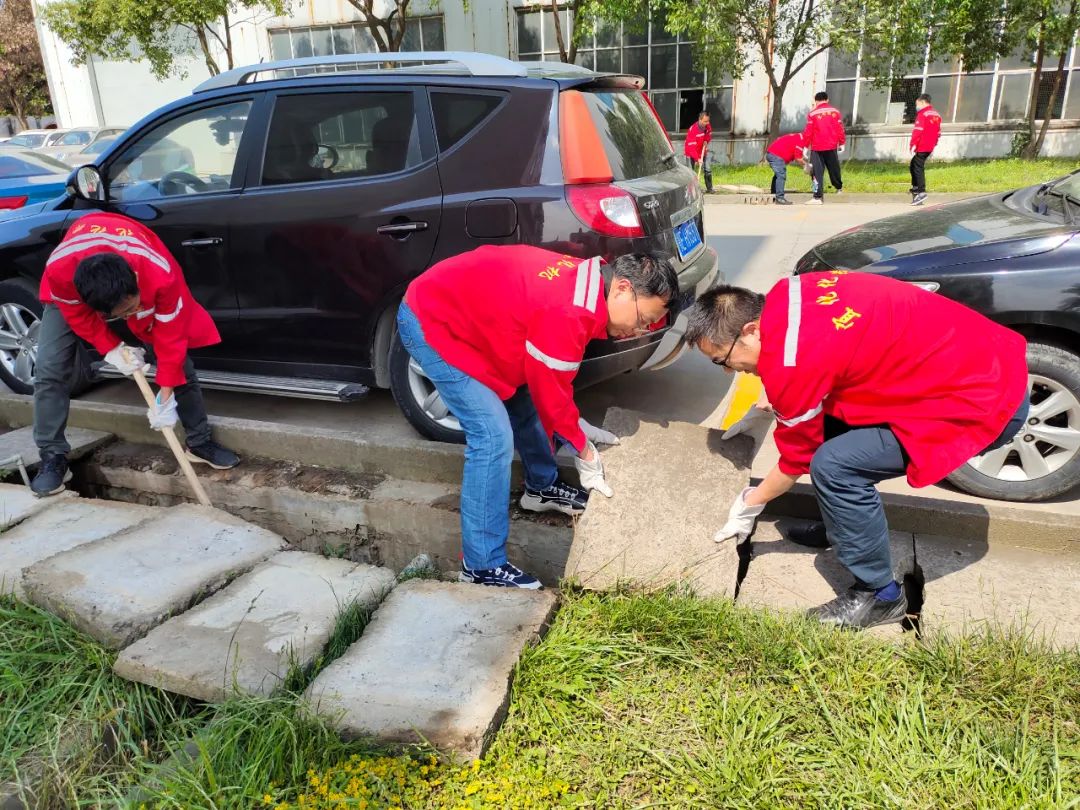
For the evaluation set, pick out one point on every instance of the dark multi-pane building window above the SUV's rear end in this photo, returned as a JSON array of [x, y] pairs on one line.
[[678, 88]]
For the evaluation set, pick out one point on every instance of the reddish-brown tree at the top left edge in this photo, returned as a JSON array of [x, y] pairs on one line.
[[23, 88]]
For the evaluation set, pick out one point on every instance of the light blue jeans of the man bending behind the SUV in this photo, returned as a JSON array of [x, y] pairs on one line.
[[493, 430]]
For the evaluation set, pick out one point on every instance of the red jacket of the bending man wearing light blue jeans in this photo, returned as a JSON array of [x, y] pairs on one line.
[[512, 316]]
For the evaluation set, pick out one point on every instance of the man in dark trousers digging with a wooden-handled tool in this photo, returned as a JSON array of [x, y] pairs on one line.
[[112, 268]]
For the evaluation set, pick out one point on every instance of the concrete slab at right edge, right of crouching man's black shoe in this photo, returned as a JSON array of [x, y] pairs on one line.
[[971, 586]]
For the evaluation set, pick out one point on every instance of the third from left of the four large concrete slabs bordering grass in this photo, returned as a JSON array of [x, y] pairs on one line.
[[246, 638]]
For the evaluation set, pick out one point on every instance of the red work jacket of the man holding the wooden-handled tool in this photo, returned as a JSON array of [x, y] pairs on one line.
[[170, 320]]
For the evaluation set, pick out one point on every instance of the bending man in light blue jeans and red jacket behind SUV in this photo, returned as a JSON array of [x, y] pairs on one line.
[[502, 332]]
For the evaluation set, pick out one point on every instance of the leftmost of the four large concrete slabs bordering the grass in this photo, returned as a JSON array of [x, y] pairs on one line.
[[65, 524]]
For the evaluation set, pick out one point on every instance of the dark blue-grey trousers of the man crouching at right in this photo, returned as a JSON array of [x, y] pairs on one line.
[[844, 472]]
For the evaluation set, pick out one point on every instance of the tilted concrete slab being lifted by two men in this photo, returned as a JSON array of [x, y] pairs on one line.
[[674, 484]]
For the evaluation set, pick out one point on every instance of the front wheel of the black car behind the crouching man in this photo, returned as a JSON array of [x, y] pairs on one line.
[[1055, 375]]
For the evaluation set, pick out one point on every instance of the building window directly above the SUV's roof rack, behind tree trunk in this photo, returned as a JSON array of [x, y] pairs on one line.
[[422, 34]]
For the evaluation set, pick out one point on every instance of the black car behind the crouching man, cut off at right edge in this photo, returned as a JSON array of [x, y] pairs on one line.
[[1015, 258]]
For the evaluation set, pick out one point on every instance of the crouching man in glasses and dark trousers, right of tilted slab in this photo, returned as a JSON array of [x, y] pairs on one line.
[[870, 379]]
